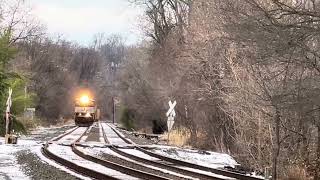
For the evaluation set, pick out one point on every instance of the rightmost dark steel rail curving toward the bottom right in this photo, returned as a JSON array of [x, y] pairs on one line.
[[188, 164]]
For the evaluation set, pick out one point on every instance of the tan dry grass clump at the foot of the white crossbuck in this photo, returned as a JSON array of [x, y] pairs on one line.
[[178, 137]]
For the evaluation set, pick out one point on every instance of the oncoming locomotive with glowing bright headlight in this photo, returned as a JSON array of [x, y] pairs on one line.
[[85, 111]]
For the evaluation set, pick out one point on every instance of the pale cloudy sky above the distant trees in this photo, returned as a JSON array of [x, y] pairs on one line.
[[80, 20]]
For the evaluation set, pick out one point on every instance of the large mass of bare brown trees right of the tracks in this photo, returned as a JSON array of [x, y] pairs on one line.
[[245, 74]]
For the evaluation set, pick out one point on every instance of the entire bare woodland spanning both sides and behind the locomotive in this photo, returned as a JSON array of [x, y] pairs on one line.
[[245, 75]]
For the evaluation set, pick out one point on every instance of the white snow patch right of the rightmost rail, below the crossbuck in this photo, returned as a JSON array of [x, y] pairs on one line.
[[205, 158]]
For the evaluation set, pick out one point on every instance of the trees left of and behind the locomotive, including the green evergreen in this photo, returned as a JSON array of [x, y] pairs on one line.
[[45, 72]]
